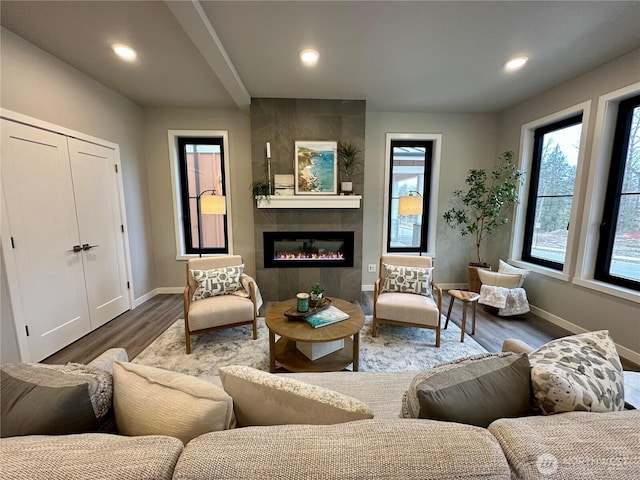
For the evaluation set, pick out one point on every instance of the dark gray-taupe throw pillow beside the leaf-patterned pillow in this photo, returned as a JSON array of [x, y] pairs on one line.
[[475, 390]]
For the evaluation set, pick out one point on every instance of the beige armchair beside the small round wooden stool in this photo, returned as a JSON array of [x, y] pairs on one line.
[[392, 302]]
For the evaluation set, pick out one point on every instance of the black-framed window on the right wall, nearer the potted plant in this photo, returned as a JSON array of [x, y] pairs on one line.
[[553, 174]]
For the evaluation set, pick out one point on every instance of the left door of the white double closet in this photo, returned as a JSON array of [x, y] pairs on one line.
[[37, 188]]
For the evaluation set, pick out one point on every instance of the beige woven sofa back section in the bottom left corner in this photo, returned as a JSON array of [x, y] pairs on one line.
[[89, 455]]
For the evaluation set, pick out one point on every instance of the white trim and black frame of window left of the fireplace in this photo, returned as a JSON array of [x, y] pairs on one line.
[[182, 252]]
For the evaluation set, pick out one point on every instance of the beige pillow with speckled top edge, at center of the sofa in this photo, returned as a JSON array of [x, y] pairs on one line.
[[261, 398]]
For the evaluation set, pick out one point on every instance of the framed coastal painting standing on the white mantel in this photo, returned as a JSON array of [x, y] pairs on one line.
[[316, 167]]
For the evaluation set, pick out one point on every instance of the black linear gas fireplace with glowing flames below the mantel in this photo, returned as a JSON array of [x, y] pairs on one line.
[[308, 249]]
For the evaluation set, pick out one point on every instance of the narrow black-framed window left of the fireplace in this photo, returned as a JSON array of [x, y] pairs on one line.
[[201, 166]]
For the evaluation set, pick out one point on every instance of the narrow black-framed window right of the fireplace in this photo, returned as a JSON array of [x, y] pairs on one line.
[[409, 195]]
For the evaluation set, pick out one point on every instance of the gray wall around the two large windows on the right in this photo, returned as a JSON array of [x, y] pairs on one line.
[[584, 308]]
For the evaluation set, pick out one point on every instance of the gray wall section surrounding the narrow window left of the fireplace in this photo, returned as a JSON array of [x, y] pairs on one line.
[[169, 272]]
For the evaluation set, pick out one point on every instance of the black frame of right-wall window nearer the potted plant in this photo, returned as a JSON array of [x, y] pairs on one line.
[[534, 182]]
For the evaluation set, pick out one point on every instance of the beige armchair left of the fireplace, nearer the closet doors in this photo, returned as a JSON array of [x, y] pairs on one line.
[[225, 300]]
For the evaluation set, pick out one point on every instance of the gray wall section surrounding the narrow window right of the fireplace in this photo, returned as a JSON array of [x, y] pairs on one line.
[[468, 141]]
